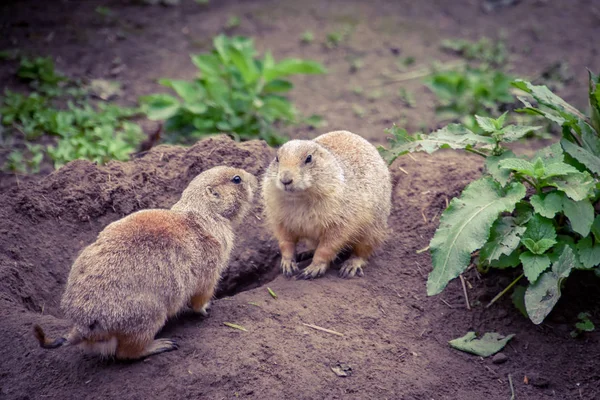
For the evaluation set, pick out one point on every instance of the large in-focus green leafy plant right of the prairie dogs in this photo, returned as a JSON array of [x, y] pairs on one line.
[[534, 213]]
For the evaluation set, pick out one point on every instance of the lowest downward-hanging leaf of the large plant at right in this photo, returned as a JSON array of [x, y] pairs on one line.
[[542, 296]]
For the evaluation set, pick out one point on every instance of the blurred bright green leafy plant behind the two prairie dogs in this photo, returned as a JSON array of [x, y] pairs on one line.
[[236, 93]]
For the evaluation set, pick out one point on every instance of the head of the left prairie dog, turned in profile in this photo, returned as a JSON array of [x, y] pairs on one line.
[[226, 191]]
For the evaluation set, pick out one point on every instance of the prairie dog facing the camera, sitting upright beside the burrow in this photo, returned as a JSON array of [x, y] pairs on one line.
[[334, 192]]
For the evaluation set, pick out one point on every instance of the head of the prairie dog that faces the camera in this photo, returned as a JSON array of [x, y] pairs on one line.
[[303, 166]]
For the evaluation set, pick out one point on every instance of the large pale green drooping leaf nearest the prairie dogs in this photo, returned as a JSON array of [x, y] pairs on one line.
[[465, 226]]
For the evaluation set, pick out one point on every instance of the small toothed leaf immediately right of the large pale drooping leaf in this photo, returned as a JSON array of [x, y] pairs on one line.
[[504, 239]]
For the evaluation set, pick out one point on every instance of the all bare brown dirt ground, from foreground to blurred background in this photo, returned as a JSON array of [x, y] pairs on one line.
[[395, 338]]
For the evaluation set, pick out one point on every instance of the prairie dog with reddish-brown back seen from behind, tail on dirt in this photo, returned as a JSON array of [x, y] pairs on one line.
[[148, 266]]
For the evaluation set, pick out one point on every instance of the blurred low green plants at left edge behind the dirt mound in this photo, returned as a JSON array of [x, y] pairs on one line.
[[80, 130]]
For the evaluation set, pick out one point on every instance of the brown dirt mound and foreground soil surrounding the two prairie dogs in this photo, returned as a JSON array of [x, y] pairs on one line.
[[394, 337]]
